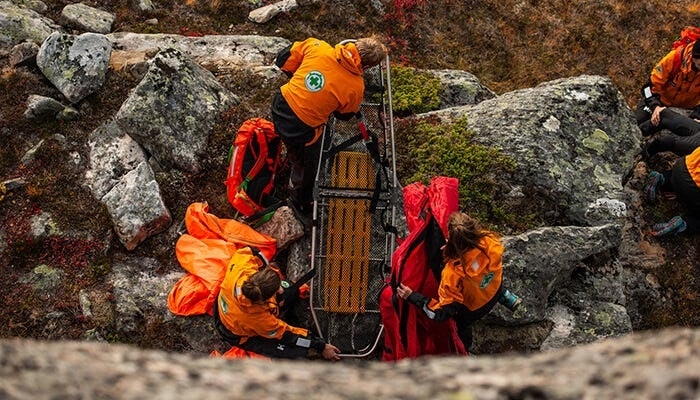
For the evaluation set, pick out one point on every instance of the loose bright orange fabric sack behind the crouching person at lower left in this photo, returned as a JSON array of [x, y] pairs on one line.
[[204, 252]]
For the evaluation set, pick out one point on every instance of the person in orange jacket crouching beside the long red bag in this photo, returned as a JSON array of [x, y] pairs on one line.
[[471, 280]]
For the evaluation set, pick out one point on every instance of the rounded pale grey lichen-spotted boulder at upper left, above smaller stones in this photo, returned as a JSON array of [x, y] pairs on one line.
[[76, 65]]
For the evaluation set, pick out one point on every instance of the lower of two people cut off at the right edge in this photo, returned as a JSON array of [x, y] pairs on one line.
[[684, 180]]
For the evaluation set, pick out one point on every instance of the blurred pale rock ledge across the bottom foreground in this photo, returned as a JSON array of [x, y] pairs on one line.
[[650, 365]]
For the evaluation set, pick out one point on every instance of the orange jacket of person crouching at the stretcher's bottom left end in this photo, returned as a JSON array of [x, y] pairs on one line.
[[241, 316]]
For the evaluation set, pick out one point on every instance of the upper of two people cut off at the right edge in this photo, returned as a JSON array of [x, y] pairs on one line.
[[674, 82]]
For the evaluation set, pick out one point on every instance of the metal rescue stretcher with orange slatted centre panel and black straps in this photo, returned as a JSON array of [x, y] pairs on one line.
[[355, 198]]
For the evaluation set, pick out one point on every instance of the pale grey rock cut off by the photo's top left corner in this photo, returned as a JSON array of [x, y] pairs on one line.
[[19, 24]]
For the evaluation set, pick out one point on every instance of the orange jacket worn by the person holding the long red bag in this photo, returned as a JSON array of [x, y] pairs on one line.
[[473, 280]]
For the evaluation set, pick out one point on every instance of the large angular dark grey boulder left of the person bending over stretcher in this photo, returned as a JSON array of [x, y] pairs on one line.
[[174, 109]]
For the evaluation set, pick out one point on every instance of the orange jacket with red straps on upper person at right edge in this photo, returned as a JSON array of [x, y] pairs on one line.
[[681, 90]]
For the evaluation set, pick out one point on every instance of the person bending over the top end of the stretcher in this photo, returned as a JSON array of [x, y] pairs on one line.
[[324, 80]]
